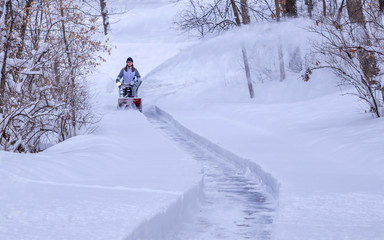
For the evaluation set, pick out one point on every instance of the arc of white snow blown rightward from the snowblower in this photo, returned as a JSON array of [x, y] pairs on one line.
[[216, 65]]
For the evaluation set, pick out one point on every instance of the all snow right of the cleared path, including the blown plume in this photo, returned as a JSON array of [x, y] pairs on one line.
[[326, 154]]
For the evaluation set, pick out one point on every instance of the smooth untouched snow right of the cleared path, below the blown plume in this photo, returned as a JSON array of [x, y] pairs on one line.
[[328, 161]]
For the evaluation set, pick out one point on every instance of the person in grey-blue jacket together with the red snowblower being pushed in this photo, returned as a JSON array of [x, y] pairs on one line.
[[129, 81]]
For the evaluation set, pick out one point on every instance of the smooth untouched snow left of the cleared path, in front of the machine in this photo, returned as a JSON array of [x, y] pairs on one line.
[[100, 186]]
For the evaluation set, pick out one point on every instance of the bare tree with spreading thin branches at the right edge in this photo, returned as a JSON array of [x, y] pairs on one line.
[[352, 47]]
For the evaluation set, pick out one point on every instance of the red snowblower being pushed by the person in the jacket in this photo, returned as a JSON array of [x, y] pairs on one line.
[[128, 96]]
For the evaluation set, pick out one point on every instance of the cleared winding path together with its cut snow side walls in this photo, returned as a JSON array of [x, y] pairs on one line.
[[237, 200]]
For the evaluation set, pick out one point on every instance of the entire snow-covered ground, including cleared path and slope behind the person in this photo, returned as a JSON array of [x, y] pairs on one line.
[[310, 156]]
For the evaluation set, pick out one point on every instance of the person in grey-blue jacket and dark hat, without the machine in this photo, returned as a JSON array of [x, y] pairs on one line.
[[130, 77]]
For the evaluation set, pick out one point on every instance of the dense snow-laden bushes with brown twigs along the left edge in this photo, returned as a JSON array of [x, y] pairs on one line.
[[48, 47]]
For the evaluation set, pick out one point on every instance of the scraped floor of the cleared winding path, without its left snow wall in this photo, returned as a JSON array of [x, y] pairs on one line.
[[235, 202]]
